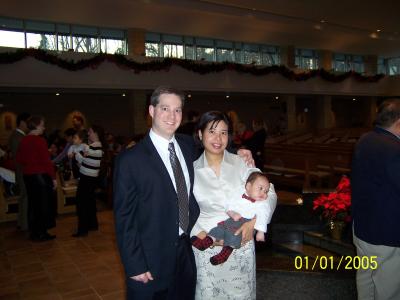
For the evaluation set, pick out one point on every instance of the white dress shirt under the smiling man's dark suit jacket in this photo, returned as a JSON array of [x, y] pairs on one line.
[[161, 145]]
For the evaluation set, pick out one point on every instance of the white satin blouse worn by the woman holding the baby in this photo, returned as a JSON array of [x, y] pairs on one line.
[[214, 193]]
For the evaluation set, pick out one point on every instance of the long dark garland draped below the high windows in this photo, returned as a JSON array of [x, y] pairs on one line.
[[189, 65]]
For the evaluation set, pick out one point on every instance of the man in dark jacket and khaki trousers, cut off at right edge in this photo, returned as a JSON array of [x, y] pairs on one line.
[[375, 184]]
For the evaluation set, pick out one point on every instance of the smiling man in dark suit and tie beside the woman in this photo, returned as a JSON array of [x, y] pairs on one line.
[[151, 226]]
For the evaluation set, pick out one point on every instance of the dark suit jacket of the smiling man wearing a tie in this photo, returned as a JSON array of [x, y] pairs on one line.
[[146, 212]]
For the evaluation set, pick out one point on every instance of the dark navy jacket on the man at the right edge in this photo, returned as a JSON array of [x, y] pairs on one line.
[[375, 185]]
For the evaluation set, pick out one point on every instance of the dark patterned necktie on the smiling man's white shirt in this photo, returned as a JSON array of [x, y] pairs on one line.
[[181, 189]]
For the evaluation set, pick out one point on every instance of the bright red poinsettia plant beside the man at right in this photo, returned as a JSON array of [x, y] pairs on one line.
[[336, 205]]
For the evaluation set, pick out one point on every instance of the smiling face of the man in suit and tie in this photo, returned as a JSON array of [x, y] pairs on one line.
[[166, 115]]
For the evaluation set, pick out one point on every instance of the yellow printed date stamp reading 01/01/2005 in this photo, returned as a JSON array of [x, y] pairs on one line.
[[332, 263]]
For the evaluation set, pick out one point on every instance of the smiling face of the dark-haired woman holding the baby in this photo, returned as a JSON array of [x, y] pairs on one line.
[[215, 137]]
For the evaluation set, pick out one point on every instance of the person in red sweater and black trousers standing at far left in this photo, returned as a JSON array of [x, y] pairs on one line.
[[39, 178]]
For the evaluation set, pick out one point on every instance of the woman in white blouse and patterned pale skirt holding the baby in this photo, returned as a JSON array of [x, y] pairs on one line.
[[217, 174]]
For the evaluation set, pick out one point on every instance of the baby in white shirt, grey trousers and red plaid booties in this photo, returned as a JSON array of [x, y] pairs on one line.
[[242, 209]]
